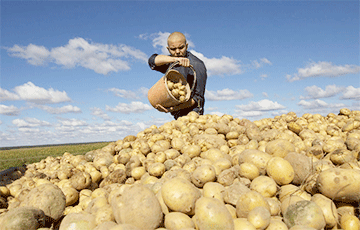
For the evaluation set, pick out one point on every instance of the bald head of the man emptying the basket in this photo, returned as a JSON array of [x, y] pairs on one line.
[[177, 45]]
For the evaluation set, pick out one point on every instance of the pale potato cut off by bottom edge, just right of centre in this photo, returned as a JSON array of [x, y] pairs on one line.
[[211, 214]]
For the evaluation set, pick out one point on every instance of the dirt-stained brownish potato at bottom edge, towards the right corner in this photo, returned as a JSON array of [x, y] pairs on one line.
[[305, 213]]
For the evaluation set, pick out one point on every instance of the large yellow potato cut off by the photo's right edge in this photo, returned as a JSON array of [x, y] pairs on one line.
[[340, 184]]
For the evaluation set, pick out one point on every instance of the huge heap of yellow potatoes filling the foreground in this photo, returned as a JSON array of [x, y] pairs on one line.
[[201, 172]]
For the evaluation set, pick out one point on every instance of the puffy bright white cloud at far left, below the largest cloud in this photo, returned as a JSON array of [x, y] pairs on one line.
[[32, 93]]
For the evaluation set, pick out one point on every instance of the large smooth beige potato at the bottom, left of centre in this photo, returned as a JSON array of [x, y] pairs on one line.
[[138, 206]]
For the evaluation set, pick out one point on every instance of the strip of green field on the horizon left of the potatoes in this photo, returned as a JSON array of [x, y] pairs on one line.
[[13, 157]]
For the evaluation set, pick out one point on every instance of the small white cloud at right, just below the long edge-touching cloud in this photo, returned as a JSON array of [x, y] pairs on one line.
[[314, 92]]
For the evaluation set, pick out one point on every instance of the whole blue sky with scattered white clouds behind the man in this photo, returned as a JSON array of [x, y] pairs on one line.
[[76, 71]]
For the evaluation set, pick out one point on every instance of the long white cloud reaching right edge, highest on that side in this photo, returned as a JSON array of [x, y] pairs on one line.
[[323, 69]]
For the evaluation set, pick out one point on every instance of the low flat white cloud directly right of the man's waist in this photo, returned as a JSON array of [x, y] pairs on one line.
[[227, 94]]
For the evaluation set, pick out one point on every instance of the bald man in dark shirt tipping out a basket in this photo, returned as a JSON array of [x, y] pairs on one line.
[[177, 47]]
